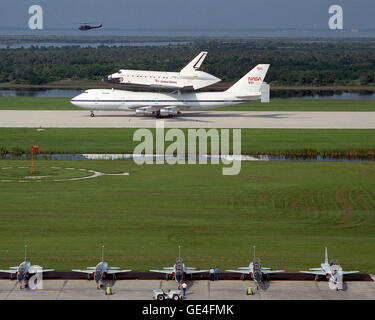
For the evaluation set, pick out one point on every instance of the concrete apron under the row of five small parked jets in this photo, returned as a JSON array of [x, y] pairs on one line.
[[197, 290]]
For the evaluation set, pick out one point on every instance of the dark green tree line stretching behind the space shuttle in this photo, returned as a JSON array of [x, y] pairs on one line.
[[293, 62]]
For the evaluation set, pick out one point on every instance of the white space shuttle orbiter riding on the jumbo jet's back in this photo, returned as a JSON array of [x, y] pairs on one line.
[[188, 79]]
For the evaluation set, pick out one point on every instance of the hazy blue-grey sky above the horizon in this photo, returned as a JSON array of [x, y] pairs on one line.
[[189, 14]]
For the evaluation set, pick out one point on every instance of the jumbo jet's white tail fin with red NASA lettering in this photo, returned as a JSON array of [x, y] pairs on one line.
[[251, 82]]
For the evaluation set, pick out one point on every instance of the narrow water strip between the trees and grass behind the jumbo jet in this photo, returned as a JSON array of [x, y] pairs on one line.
[[283, 94]]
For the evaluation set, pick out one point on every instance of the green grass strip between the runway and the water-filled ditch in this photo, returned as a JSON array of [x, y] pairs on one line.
[[253, 140]]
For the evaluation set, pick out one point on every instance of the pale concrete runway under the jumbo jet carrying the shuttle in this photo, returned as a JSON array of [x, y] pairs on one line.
[[204, 119]]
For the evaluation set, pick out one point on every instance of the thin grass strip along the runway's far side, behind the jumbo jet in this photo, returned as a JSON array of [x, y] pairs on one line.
[[33, 103]]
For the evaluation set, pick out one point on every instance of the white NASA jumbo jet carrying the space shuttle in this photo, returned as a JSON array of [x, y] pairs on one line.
[[171, 104]]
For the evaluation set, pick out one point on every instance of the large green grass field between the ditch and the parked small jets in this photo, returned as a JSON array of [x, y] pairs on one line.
[[289, 210]]
